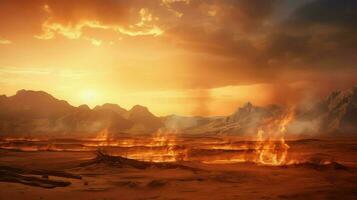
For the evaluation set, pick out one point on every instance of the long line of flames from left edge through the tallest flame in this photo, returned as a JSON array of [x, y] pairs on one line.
[[269, 148]]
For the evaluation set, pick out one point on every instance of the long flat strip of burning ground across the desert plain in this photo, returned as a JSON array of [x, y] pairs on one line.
[[169, 150]]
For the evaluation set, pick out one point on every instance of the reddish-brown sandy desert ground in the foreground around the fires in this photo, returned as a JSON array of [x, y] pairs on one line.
[[212, 181]]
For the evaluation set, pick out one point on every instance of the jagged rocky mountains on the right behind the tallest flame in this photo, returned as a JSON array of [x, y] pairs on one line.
[[334, 115]]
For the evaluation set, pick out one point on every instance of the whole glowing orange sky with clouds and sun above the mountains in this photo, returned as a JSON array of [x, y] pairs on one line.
[[186, 57]]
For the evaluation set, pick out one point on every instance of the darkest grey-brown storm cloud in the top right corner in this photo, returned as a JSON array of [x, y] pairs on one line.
[[320, 34]]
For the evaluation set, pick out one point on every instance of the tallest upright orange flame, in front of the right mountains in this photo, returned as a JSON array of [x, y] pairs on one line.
[[271, 148]]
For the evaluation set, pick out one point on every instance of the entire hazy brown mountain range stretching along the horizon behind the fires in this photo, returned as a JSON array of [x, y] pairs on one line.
[[31, 113]]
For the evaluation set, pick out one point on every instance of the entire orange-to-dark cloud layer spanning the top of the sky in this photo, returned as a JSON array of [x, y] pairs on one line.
[[224, 42]]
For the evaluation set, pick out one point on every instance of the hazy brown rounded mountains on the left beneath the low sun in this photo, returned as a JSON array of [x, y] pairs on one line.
[[39, 113]]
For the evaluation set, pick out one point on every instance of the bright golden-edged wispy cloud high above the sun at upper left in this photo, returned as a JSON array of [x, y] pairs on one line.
[[59, 23]]
